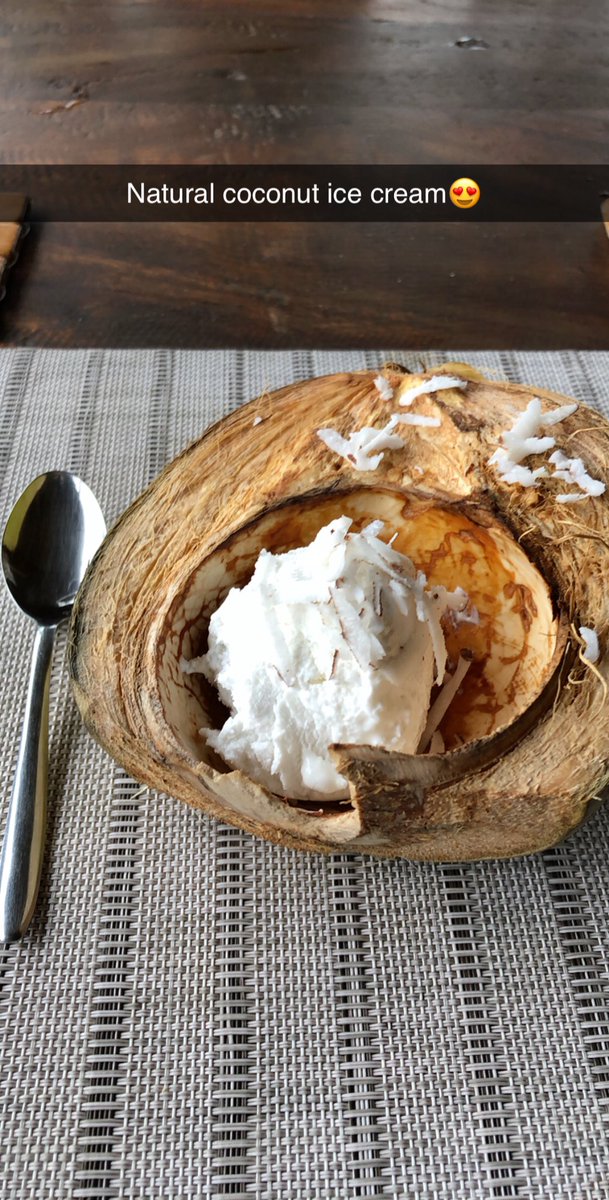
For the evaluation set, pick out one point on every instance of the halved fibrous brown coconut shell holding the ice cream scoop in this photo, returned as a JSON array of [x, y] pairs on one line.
[[528, 736]]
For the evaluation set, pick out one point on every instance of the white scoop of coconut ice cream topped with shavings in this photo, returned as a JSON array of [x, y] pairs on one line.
[[334, 643]]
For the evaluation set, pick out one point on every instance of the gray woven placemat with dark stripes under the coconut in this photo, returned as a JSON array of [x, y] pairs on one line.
[[196, 1013]]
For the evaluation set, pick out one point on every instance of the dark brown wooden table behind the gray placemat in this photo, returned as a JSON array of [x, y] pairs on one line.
[[349, 81]]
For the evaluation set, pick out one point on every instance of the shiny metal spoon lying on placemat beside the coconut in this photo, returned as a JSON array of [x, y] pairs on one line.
[[50, 539]]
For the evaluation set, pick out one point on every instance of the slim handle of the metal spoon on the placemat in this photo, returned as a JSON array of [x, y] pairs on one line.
[[25, 837]]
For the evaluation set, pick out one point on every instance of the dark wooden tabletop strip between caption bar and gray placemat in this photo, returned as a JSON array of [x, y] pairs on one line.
[[318, 285]]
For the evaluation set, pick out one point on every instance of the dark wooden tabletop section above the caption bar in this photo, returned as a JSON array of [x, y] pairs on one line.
[[148, 82]]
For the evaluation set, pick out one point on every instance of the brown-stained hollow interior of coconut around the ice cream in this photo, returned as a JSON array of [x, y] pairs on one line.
[[514, 650]]
